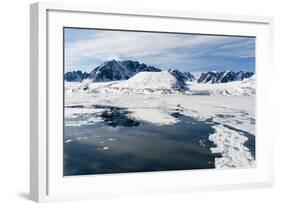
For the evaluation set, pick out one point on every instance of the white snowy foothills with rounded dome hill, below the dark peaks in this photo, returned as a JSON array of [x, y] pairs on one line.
[[163, 83]]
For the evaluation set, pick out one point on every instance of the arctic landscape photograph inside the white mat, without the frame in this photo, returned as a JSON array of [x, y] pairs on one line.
[[146, 101]]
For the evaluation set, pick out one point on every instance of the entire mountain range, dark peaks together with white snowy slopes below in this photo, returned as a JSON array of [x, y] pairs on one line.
[[134, 77]]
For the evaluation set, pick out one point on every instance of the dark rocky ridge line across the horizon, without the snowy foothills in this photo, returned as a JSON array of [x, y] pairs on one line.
[[114, 70]]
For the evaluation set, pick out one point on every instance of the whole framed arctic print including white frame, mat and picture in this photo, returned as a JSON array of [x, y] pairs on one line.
[[127, 102]]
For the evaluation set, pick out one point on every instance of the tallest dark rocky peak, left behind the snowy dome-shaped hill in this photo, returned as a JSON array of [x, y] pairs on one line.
[[119, 70]]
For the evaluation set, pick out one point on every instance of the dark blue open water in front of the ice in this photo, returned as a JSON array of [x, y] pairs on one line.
[[121, 145]]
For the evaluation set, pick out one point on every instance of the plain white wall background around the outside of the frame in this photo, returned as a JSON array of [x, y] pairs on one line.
[[14, 101]]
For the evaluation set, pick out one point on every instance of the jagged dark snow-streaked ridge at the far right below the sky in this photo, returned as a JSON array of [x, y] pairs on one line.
[[223, 77]]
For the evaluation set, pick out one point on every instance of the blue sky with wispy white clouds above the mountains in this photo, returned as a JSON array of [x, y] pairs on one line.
[[85, 49]]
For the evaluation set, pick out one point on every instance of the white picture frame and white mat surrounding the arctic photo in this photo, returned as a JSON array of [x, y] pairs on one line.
[[46, 180]]
